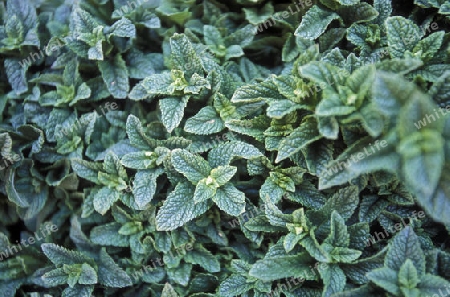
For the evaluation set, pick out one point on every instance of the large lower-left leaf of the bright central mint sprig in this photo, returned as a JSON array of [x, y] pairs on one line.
[[179, 208]]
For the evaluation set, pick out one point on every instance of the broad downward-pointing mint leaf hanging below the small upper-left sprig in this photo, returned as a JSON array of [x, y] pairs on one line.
[[115, 76]]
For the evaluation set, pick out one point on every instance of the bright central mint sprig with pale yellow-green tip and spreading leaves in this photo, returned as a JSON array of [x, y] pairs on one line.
[[206, 182]]
